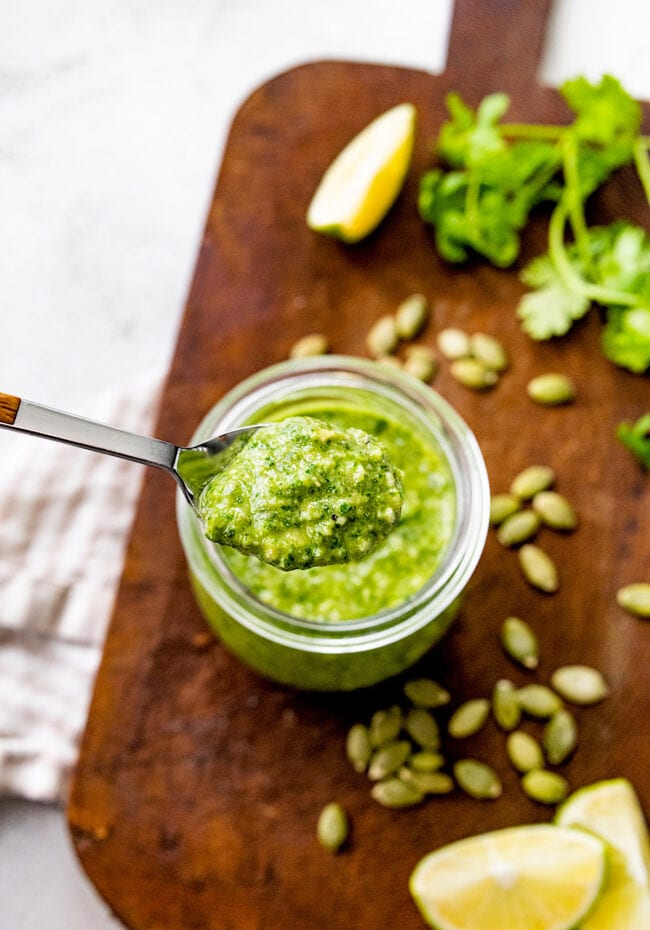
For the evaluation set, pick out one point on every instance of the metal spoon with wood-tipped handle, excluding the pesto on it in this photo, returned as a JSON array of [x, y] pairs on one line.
[[191, 466]]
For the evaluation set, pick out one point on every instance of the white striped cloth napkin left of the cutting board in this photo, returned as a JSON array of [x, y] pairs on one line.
[[65, 515]]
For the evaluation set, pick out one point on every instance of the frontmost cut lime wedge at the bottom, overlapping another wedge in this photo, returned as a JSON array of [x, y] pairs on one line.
[[539, 877]]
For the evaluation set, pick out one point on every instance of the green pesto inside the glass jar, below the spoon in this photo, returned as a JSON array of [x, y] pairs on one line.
[[398, 566]]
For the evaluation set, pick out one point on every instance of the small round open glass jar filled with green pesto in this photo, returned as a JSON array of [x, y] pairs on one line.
[[302, 645]]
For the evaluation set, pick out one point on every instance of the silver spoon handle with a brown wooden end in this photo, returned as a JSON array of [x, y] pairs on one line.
[[27, 417]]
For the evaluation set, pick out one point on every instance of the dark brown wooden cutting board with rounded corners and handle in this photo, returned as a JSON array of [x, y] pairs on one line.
[[199, 784]]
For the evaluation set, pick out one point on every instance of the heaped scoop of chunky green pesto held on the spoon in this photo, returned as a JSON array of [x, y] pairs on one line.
[[300, 493]]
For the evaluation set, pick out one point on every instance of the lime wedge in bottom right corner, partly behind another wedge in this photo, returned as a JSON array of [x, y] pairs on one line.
[[611, 810]]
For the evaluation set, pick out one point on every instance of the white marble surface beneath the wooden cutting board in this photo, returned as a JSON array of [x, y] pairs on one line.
[[113, 115]]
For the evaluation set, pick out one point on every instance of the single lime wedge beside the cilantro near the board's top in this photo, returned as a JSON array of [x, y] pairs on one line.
[[363, 181]]
